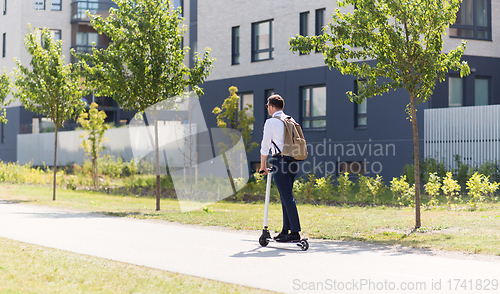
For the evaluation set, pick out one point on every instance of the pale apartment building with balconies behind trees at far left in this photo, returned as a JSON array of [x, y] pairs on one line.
[[68, 22]]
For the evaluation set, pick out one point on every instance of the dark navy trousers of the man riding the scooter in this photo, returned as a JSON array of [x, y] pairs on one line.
[[284, 173]]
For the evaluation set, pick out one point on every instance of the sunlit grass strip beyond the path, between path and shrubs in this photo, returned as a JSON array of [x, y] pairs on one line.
[[455, 230]]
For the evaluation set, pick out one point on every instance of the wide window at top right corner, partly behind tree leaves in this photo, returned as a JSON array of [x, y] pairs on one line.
[[473, 20]]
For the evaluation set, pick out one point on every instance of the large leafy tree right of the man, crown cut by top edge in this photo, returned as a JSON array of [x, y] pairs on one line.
[[405, 38]]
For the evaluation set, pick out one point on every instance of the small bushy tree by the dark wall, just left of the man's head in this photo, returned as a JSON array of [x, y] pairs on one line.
[[229, 116]]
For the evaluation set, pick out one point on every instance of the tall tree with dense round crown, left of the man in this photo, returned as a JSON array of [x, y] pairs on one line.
[[144, 64]]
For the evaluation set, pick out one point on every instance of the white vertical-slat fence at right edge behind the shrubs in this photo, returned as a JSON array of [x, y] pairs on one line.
[[473, 133]]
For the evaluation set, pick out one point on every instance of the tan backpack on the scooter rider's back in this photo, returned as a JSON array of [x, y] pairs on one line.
[[294, 146]]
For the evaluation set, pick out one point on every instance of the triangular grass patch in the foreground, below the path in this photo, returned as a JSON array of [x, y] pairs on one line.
[[26, 268]]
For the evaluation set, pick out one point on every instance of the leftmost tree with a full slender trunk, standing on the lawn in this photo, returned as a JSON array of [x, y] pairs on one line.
[[49, 86]]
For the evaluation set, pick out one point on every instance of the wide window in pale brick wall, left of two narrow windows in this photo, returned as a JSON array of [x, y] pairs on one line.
[[262, 40]]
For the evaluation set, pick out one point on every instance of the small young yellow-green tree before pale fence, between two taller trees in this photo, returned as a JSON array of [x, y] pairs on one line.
[[93, 123]]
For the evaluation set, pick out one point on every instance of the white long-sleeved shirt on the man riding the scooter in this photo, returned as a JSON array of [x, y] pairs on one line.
[[273, 132]]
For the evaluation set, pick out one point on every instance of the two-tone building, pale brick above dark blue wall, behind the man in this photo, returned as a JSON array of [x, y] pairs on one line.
[[249, 39]]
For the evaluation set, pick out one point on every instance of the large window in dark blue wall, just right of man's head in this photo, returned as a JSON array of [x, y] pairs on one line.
[[314, 107]]
